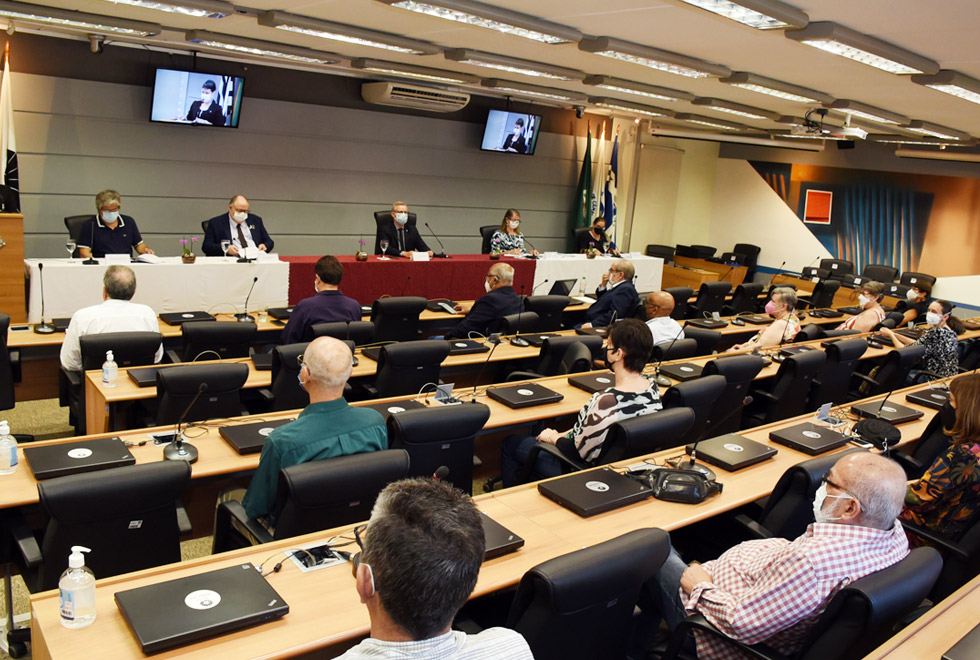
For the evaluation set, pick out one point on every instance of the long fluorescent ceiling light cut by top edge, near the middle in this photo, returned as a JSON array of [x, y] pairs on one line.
[[483, 15]]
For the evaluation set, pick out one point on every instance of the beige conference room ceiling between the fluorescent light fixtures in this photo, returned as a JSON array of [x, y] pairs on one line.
[[945, 32]]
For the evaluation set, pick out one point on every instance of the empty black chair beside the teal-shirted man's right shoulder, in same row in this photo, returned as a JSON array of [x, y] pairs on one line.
[[440, 437]]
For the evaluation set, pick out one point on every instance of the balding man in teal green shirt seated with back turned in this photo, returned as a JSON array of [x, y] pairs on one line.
[[326, 428]]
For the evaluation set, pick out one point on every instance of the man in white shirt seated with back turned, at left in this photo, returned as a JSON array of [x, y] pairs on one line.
[[116, 314]]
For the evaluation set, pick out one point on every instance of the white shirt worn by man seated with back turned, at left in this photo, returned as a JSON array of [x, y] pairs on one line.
[[110, 316]]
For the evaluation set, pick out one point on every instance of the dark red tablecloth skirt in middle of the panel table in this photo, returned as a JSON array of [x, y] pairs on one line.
[[459, 277]]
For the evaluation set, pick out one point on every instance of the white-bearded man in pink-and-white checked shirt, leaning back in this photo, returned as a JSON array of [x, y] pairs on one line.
[[773, 590]]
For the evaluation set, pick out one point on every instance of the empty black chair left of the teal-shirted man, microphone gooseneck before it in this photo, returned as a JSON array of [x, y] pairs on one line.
[[177, 386]]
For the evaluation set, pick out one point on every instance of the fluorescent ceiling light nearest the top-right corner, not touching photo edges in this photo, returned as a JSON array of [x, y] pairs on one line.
[[862, 48]]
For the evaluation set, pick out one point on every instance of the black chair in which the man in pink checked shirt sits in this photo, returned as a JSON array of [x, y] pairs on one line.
[[859, 618]]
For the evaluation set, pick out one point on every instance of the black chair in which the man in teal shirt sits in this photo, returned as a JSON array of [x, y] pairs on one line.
[[314, 496]]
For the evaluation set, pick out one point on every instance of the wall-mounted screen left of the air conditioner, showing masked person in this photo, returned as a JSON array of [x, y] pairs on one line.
[[201, 99]]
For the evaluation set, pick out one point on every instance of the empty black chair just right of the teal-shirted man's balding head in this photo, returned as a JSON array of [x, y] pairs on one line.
[[406, 367]]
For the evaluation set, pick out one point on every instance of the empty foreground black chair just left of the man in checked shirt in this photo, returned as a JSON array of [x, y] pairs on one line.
[[580, 605]]
